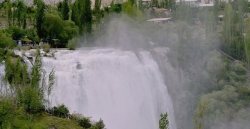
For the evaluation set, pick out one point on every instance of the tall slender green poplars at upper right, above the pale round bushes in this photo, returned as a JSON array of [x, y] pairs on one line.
[[233, 28]]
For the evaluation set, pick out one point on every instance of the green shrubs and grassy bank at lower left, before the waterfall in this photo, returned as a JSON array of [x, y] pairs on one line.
[[22, 101]]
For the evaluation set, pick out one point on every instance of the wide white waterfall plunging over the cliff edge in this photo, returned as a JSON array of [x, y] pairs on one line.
[[124, 89]]
